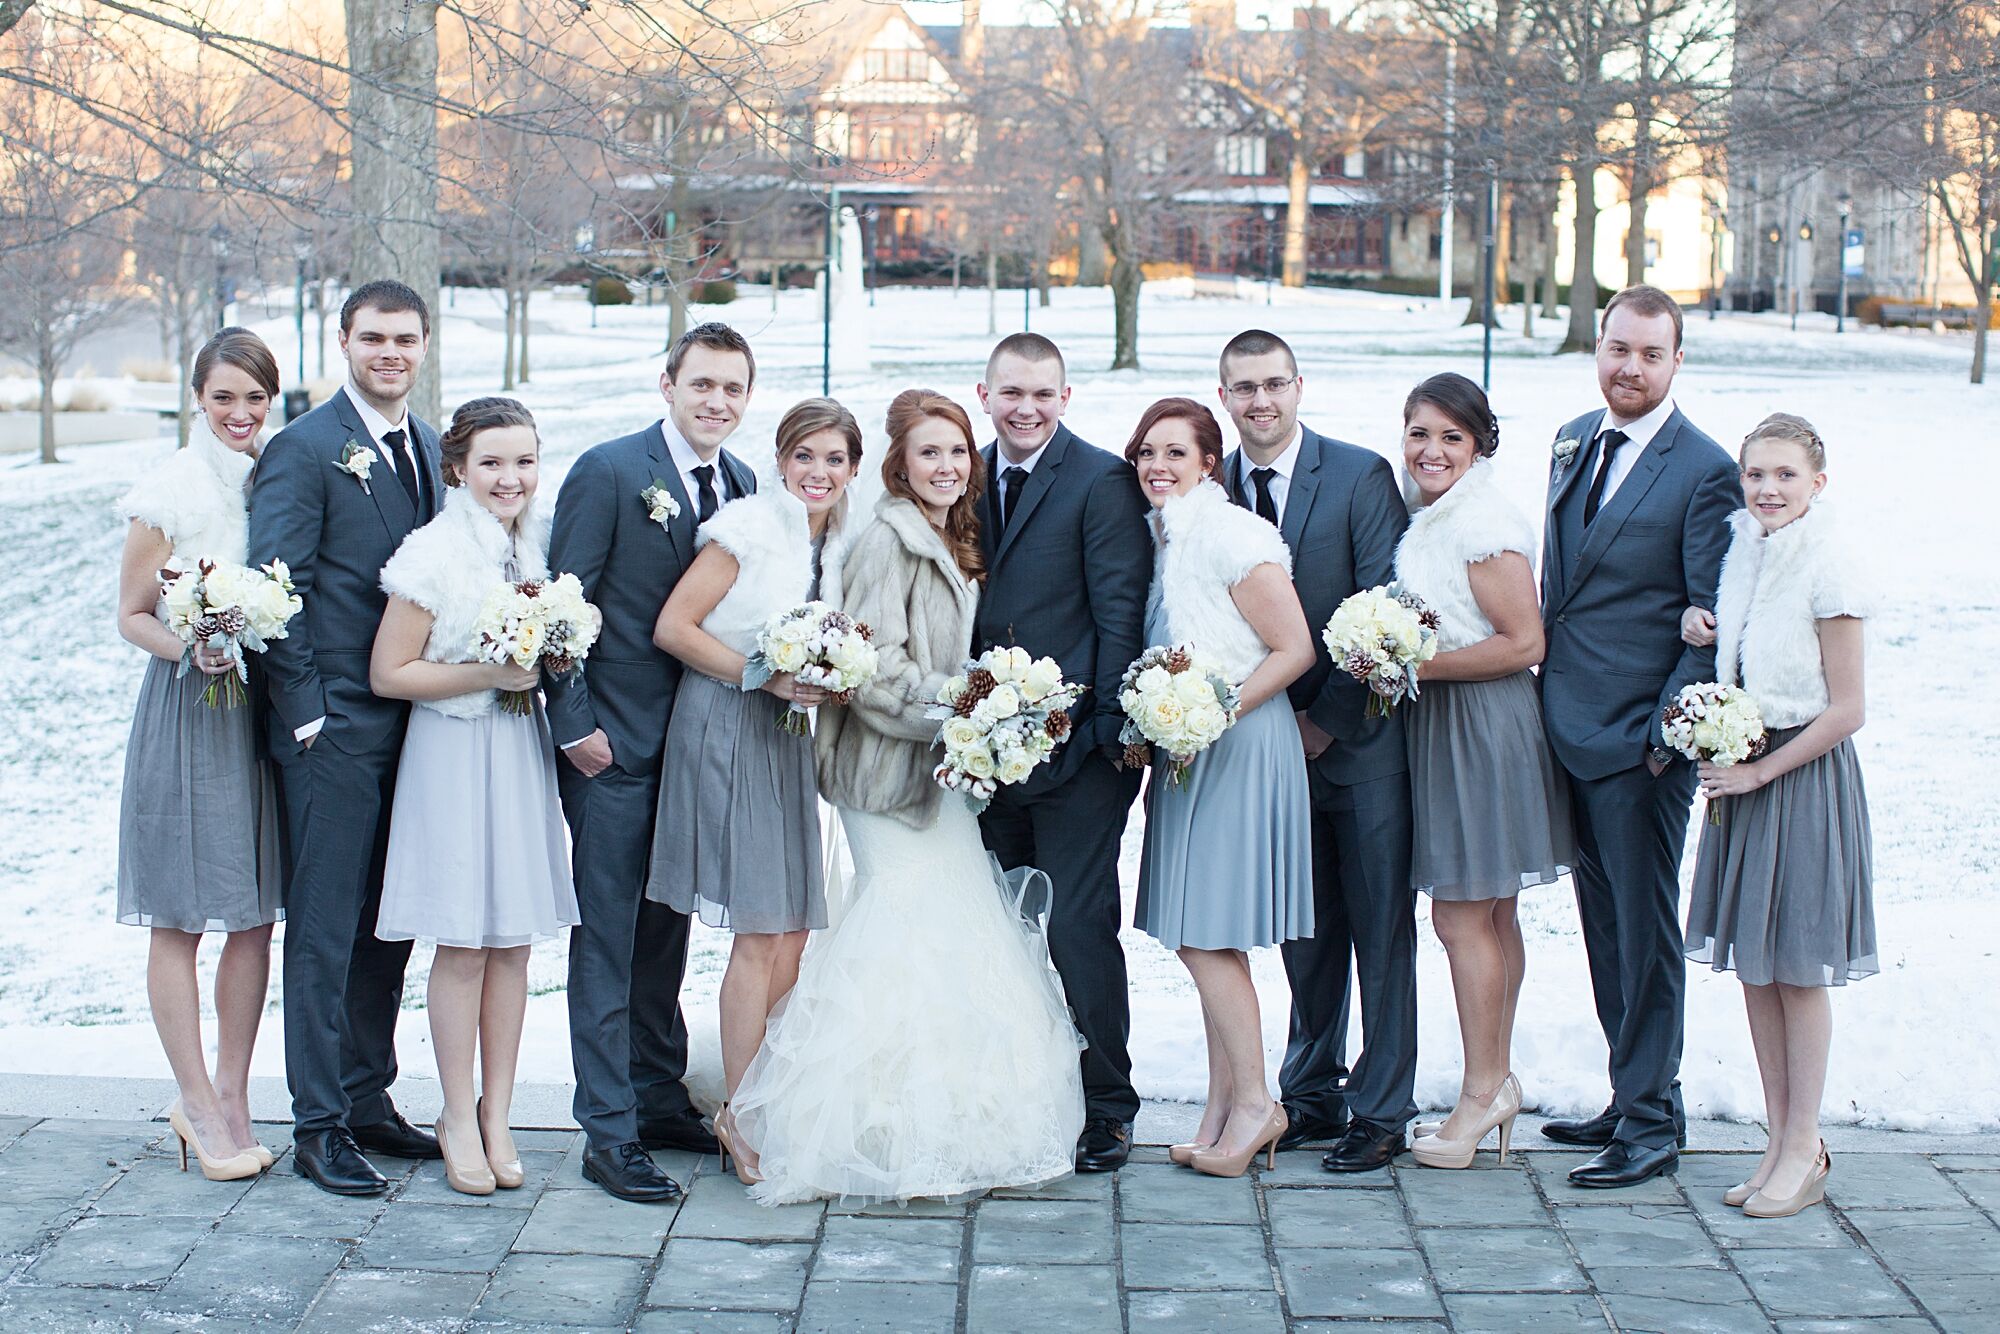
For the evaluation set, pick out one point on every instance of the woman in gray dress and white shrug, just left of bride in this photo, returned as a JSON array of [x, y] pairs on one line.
[[739, 831]]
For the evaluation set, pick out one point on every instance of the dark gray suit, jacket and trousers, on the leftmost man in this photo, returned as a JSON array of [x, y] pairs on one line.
[[343, 987]]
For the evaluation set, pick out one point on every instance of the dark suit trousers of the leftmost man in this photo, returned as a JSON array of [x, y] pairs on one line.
[[343, 989]]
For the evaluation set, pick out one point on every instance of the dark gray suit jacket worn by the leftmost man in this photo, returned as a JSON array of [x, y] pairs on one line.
[[335, 537]]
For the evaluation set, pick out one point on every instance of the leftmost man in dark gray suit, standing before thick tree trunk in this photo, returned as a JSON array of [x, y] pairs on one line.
[[335, 495]]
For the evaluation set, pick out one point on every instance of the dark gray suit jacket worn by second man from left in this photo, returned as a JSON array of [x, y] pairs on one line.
[[627, 565]]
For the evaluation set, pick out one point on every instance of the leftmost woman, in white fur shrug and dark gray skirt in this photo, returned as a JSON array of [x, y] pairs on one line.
[[199, 819]]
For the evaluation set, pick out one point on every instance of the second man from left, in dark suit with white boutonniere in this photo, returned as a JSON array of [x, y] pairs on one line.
[[629, 547]]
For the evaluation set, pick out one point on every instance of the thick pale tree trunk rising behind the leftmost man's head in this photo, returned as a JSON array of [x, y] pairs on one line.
[[395, 173]]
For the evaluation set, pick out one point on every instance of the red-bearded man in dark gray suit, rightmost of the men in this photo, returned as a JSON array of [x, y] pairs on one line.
[[1639, 507]]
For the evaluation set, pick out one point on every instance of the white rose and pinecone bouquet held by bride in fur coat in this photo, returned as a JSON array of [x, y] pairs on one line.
[[1003, 717]]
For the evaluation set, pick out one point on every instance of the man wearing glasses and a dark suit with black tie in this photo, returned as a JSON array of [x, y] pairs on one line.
[[1343, 515]]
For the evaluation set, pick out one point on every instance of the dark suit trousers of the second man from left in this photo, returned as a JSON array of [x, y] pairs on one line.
[[629, 1037]]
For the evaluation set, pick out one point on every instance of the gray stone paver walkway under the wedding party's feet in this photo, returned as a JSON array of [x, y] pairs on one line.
[[101, 1231]]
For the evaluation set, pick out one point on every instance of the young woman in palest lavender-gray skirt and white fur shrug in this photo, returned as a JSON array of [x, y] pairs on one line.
[[477, 855]]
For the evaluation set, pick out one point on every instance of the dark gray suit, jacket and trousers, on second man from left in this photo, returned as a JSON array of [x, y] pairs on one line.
[[627, 1033]]
